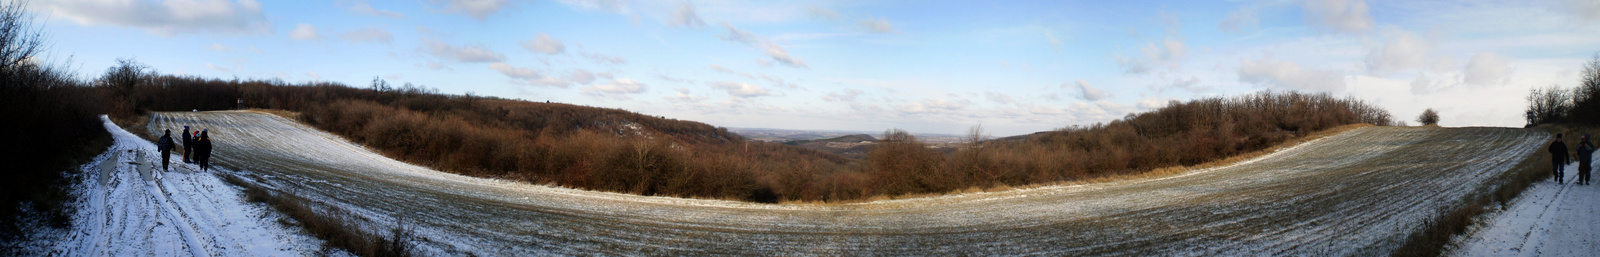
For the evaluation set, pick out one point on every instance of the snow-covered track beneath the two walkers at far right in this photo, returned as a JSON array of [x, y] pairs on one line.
[[1548, 219]]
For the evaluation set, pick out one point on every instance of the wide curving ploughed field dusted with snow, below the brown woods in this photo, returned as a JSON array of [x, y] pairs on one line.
[[1353, 194]]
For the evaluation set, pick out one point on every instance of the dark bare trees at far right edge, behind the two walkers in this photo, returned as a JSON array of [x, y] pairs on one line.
[[1561, 106]]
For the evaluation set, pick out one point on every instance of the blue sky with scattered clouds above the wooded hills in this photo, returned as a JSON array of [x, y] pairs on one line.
[[926, 66]]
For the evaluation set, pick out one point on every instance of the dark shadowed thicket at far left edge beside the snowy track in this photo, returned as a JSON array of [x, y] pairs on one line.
[[50, 124]]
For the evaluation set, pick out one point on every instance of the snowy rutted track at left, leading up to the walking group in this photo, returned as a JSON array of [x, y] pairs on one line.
[[129, 207]]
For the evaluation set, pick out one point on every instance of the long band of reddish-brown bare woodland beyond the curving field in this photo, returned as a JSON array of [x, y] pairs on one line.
[[617, 151]]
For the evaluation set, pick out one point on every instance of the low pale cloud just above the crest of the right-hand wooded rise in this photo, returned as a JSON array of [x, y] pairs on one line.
[[1282, 74]]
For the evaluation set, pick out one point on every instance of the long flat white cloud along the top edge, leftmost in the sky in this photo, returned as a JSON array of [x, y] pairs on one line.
[[166, 17]]
